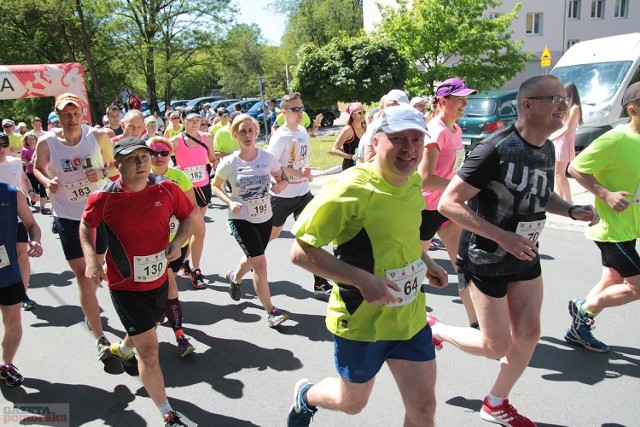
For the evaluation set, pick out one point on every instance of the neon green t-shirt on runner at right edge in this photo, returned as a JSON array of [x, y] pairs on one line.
[[614, 160]]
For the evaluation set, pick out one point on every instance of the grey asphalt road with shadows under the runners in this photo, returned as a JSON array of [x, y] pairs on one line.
[[243, 372]]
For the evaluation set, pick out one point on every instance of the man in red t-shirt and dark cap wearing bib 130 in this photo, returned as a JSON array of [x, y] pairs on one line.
[[137, 258]]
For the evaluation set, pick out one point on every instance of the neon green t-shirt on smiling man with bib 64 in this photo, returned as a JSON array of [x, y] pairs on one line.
[[374, 226]]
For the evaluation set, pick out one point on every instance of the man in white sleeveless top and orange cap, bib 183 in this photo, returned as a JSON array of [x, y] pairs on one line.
[[70, 163]]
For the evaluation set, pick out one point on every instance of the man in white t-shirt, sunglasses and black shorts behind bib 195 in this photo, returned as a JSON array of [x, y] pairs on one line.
[[290, 145]]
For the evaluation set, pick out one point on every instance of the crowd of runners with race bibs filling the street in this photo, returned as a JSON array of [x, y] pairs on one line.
[[405, 179]]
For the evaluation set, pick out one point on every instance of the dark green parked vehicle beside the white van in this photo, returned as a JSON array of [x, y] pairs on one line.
[[487, 112]]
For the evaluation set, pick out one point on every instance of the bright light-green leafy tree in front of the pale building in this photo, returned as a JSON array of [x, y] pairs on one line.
[[441, 34]]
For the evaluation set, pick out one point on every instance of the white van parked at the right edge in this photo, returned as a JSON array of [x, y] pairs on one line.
[[601, 69]]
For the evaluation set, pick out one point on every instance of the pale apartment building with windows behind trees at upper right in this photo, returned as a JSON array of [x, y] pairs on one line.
[[556, 24]]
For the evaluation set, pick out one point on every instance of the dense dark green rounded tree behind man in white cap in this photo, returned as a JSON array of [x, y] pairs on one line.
[[360, 69]]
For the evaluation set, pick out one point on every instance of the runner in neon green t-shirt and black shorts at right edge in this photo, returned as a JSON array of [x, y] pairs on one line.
[[608, 168]]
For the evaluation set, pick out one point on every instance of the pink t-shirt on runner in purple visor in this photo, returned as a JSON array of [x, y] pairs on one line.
[[450, 158]]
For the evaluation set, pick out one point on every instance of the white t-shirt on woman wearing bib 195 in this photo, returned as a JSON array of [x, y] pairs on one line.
[[250, 183]]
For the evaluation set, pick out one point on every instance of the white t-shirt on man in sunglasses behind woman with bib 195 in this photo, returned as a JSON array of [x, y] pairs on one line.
[[291, 148]]
